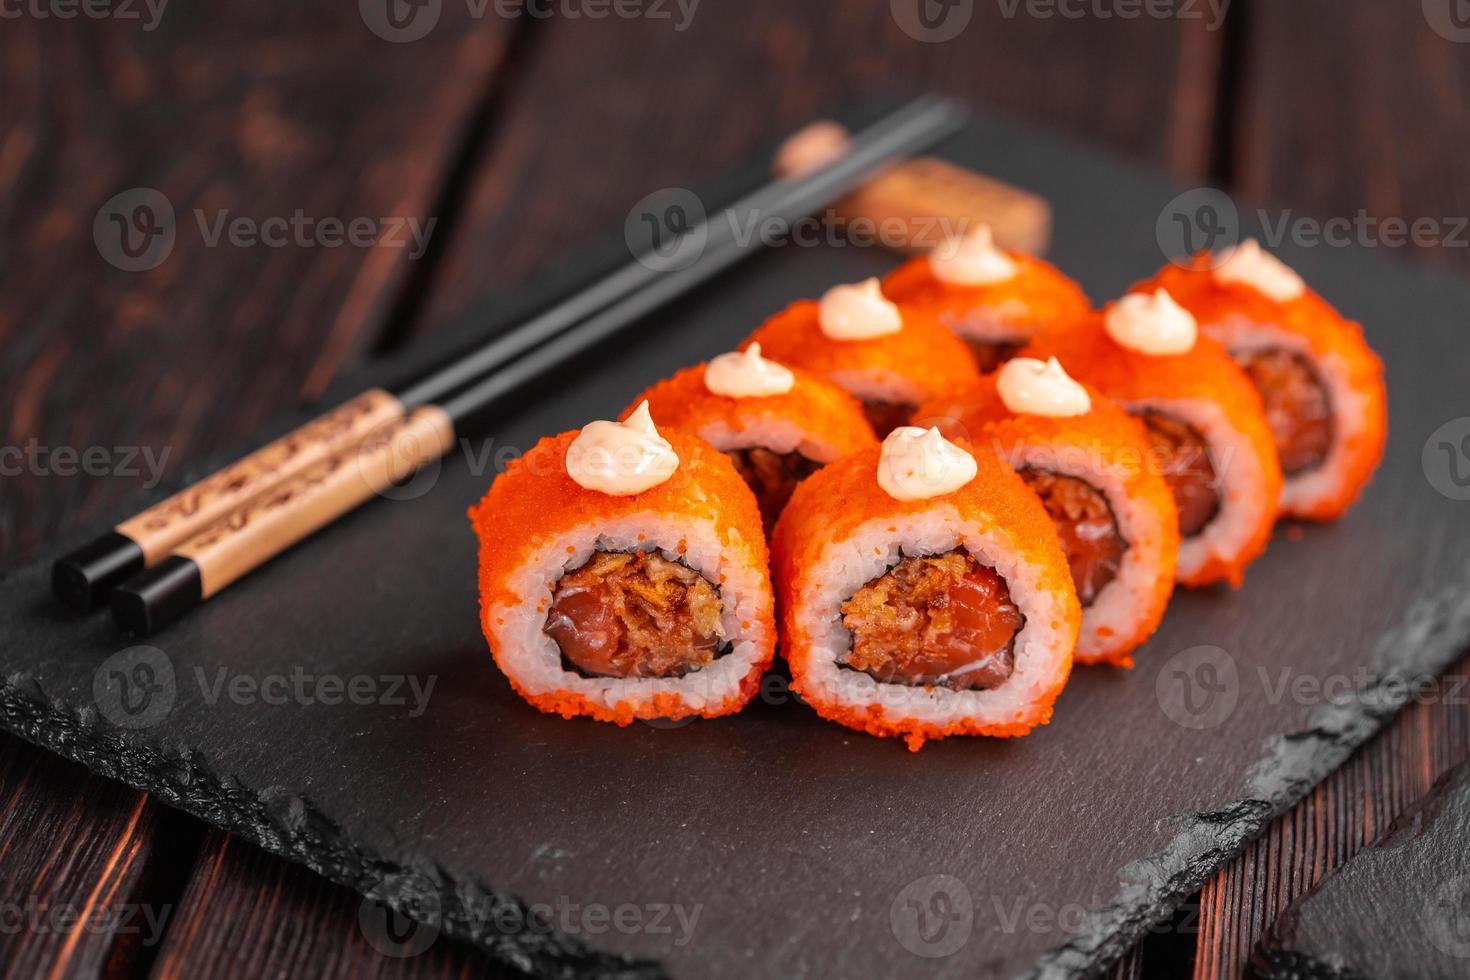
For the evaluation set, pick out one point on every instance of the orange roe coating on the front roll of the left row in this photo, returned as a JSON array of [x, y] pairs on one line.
[[534, 502]]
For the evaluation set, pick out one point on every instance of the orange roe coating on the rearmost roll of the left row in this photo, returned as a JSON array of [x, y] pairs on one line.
[[1050, 298]]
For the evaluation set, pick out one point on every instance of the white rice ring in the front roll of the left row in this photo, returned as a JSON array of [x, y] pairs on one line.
[[534, 660]]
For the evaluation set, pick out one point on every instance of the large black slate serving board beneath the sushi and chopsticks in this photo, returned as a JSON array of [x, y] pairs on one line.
[[774, 844]]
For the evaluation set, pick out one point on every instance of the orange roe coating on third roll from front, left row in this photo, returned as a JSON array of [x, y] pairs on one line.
[[924, 353]]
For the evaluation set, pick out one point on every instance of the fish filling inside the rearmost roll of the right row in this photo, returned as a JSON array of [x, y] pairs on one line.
[[1297, 406]]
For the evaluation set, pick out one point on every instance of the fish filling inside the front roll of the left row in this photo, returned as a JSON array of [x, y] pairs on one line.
[[636, 615]]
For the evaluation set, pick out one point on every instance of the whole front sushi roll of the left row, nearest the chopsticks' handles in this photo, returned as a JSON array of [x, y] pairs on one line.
[[624, 575]]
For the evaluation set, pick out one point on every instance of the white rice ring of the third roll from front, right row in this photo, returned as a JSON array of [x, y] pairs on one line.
[[1238, 481]]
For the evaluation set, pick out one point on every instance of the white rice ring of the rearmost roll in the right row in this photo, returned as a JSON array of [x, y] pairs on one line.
[[1350, 408]]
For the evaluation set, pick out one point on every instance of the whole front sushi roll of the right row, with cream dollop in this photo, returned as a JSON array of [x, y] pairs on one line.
[[924, 593]]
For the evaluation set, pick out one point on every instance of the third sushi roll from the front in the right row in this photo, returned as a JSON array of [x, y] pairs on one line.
[[1205, 421]]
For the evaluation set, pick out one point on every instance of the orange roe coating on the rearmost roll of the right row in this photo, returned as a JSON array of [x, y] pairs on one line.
[[1328, 336]]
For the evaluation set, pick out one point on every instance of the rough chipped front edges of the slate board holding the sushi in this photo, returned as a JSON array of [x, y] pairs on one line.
[[293, 828]]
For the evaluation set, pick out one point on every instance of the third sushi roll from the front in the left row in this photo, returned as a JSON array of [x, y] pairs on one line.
[[890, 361]]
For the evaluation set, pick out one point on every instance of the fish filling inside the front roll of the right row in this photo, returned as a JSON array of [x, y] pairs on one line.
[[943, 621]]
